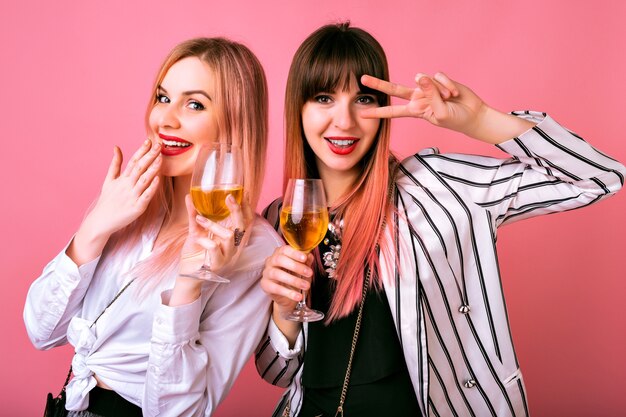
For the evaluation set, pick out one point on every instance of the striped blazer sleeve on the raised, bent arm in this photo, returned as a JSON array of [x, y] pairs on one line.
[[550, 170]]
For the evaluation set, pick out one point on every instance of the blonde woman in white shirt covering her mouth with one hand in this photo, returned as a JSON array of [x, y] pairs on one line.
[[169, 345]]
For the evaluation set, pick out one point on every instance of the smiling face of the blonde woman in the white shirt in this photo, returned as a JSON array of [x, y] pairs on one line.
[[183, 116]]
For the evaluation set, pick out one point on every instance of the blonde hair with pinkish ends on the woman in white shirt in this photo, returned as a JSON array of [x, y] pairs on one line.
[[241, 108]]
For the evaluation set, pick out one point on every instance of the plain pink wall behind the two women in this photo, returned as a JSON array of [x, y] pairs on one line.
[[75, 80]]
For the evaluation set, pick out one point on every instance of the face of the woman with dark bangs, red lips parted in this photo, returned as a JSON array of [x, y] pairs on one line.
[[336, 133]]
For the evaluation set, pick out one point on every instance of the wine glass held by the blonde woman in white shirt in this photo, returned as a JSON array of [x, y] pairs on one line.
[[218, 172]]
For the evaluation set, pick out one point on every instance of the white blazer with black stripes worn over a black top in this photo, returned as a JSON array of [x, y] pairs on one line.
[[444, 291]]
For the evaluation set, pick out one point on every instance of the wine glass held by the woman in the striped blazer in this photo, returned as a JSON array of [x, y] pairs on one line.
[[304, 221]]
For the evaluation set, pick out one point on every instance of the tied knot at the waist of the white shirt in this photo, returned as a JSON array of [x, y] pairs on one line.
[[82, 338]]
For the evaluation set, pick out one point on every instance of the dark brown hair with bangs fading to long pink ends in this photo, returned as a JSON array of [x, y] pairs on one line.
[[326, 61]]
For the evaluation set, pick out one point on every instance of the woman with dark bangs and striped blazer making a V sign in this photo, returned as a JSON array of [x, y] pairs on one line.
[[407, 274]]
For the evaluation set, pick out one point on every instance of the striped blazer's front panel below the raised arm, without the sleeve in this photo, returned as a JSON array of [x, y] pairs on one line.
[[454, 357]]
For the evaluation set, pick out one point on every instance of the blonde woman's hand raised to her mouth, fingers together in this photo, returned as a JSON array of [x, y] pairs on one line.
[[123, 198]]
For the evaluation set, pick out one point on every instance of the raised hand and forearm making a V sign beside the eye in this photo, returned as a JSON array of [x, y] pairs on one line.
[[446, 103]]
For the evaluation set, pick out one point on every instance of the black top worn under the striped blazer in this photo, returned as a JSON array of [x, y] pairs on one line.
[[379, 381]]
